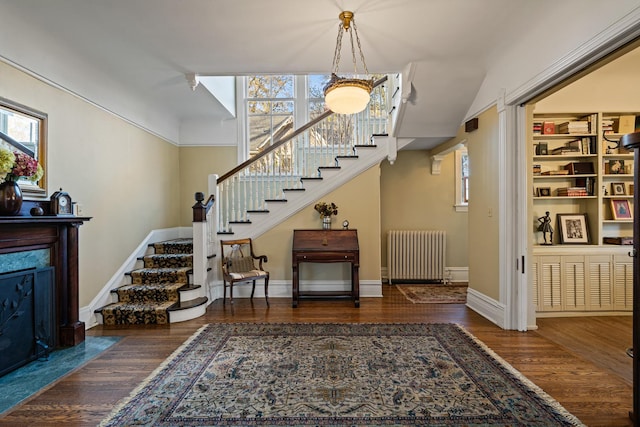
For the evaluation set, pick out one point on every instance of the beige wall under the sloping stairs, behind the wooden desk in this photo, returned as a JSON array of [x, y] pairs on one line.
[[359, 202]]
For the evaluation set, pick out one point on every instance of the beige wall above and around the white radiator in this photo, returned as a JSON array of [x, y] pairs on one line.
[[414, 199]]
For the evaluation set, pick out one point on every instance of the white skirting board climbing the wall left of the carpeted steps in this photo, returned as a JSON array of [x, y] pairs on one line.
[[86, 314]]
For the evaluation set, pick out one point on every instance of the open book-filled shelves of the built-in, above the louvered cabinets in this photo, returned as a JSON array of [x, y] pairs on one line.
[[578, 167]]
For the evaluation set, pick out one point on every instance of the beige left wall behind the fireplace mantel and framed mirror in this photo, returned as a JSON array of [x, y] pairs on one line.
[[125, 178]]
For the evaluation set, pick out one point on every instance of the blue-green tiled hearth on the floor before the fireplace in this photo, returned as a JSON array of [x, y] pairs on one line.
[[22, 383]]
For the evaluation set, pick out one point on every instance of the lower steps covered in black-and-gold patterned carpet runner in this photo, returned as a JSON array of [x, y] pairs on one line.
[[157, 289]]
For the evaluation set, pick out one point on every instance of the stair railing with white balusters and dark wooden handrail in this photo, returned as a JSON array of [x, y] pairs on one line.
[[268, 175]]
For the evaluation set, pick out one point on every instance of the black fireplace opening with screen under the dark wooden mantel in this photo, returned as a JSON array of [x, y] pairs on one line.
[[27, 317]]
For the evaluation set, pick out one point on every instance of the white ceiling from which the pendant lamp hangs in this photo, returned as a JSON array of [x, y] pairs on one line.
[[148, 46]]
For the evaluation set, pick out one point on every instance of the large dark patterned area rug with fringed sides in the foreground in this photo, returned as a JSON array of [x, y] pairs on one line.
[[337, 374]]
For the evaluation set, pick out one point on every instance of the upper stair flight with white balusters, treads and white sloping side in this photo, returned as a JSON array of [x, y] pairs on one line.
[[302, 166]]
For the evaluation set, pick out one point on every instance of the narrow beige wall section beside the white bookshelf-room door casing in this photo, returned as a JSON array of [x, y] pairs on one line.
[[484, 220]]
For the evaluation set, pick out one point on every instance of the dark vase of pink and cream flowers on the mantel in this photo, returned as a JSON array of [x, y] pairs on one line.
[[13, 166]]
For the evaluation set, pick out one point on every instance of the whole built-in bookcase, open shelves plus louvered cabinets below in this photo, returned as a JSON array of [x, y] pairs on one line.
[[583, 179]]
